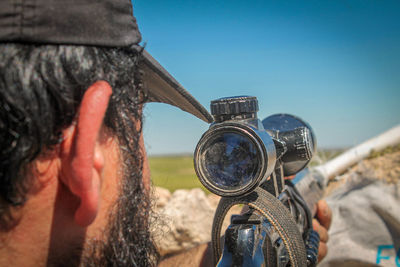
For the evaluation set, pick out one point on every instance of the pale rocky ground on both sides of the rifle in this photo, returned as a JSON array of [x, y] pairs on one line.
[[185, 217]]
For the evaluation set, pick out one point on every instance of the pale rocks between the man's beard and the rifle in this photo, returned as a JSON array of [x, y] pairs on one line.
[[184, 218]]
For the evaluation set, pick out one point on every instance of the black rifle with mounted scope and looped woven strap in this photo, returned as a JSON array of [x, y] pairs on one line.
[[244, 161]]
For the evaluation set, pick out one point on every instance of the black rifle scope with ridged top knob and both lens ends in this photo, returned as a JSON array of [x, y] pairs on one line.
[[236, 154]]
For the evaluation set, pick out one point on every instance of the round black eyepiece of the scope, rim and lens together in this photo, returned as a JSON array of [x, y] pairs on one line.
[[232, 159]]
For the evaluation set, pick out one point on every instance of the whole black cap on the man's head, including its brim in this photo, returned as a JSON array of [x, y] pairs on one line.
[[107, 23]]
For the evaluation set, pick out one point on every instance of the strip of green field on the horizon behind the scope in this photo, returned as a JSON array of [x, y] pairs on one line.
[[177, 172]]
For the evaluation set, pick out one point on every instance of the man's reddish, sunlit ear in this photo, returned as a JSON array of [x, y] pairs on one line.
[[82, 158]]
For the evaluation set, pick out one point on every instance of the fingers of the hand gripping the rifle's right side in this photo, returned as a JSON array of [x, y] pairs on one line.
[[321, 224]]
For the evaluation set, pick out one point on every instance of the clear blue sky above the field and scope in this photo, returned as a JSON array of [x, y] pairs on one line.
[[336, 64]]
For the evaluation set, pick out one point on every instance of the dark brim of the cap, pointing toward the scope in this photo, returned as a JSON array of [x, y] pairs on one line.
[[161, 87]]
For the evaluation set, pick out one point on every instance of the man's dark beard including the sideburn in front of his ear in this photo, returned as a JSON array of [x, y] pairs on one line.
[[127, 240]]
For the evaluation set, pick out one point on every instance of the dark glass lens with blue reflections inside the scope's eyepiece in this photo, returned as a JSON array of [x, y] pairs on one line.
[[230, 161]]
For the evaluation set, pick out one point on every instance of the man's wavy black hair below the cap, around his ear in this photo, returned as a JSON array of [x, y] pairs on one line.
[[41, 87]]
